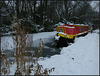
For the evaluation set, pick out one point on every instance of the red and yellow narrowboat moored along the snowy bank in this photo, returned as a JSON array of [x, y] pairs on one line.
[[68, 32]]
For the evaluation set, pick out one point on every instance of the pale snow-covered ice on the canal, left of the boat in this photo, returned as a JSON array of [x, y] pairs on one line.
[[8, 41]]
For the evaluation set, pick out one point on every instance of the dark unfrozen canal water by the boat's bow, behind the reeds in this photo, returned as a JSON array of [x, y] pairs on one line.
[[48, 50]]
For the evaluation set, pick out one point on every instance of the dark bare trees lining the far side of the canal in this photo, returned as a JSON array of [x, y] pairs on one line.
[[46, 13]]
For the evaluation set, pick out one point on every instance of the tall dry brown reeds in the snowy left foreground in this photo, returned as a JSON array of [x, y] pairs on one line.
[[22, 40]]
